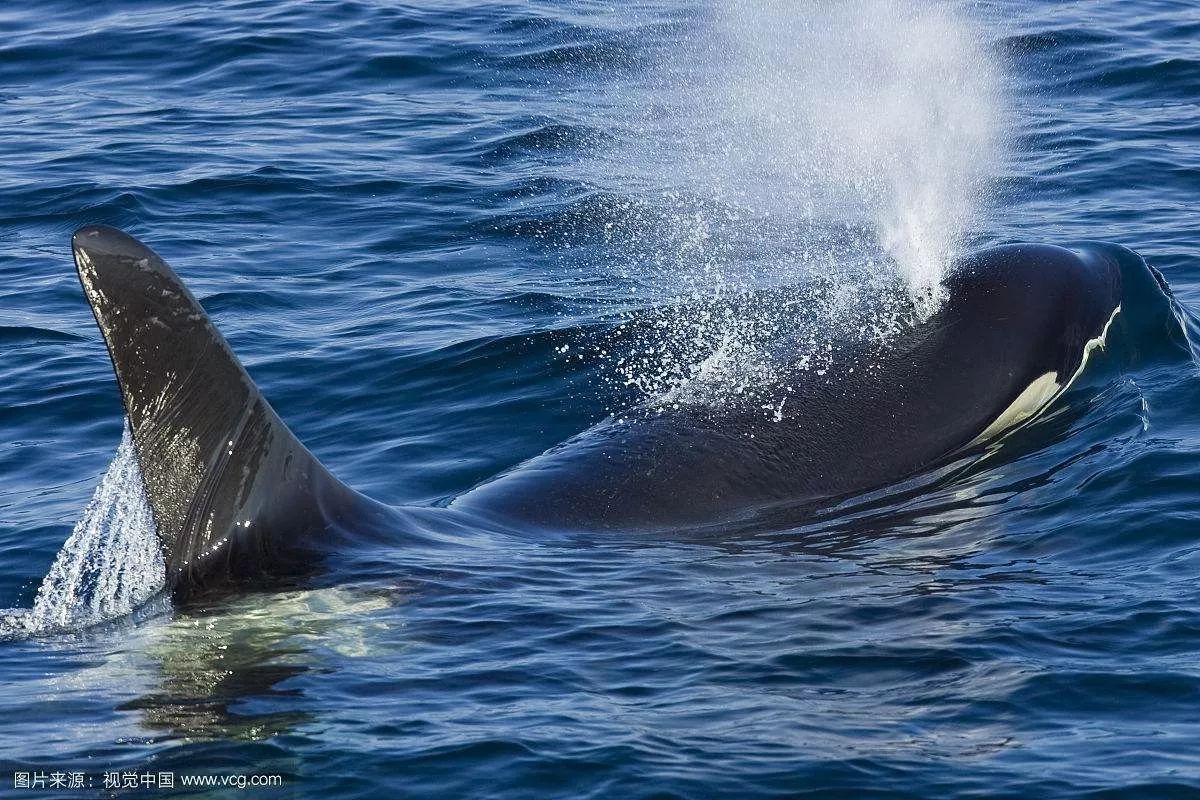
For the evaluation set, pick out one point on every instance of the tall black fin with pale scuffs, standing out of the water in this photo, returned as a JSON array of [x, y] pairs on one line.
[[236, 496]]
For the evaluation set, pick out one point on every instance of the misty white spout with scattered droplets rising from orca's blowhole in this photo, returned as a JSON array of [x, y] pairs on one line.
[[809, 169]]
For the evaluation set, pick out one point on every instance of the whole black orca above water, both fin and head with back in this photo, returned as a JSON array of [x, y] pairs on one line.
[[237, 497]]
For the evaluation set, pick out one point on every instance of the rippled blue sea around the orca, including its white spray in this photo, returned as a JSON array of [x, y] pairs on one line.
[[434, 233]]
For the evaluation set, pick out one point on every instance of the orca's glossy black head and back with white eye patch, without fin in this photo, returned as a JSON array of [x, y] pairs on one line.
[[1013, 333]]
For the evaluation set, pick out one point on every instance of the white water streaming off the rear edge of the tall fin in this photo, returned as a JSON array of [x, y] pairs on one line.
[[111, 564]]
